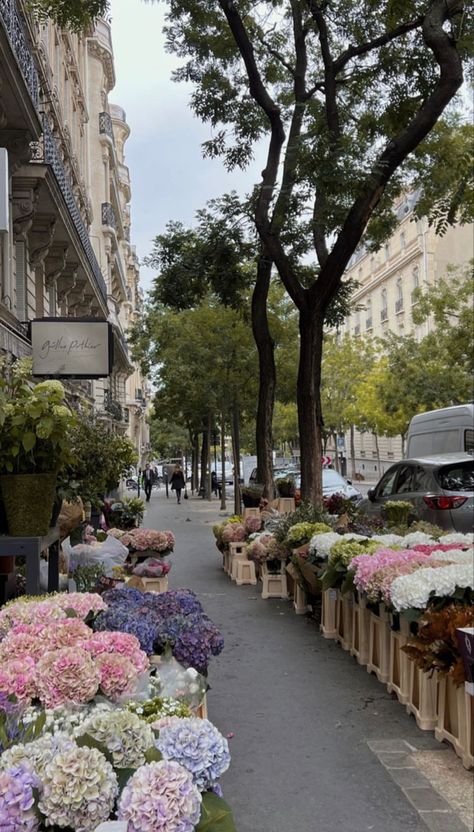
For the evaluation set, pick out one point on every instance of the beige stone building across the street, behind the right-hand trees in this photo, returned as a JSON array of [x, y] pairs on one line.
[[414, 257]]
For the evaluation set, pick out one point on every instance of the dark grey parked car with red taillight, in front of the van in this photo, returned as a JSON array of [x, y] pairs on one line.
[[440, 487]]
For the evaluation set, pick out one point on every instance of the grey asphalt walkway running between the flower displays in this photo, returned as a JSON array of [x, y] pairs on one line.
[[301, 710]]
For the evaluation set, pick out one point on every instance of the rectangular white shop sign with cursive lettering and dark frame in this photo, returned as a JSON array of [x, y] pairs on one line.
[[71, 347]]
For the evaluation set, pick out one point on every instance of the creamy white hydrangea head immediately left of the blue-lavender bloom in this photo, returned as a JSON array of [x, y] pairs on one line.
[[122, 733]]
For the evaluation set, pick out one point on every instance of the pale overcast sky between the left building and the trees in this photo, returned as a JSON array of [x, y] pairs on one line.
[[170, 178]]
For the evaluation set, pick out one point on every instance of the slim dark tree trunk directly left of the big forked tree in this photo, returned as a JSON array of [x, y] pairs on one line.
[[267, 377]]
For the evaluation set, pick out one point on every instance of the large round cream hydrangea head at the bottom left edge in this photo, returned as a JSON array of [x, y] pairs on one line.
[[79, 789]]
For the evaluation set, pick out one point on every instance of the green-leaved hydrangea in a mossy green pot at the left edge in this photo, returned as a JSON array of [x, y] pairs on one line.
[[34, 446]]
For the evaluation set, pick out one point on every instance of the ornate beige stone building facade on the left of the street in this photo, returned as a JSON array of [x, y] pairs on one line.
[[67, 250]]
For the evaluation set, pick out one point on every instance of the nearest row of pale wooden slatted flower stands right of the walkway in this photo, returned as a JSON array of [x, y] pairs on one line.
[[376, 641]]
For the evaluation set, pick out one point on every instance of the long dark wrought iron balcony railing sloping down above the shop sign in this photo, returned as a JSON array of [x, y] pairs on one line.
[[47, 153]]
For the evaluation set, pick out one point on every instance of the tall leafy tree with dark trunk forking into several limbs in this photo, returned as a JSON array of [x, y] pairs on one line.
[[343, 94]]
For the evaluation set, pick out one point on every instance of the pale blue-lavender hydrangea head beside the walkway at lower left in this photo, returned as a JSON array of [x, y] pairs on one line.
[[198, 746]]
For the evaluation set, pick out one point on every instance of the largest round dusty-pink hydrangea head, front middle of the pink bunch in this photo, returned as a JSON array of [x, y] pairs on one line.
[[67, 675]]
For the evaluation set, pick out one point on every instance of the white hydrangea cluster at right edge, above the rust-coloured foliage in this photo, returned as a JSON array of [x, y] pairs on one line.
[[414, 590]]
